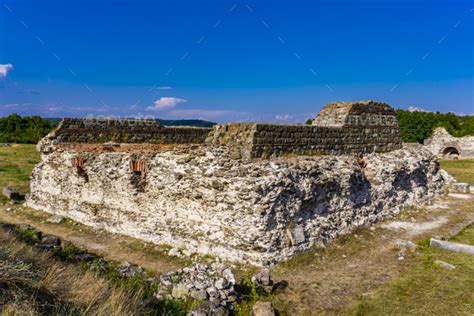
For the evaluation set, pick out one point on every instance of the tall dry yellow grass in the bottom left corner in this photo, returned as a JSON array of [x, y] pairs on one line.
[[31, 282]]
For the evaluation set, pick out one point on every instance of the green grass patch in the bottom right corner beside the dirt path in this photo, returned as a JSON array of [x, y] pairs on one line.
[[426, 288]]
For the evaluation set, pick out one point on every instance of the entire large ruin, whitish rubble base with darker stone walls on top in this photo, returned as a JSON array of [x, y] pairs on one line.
[[247, 192]]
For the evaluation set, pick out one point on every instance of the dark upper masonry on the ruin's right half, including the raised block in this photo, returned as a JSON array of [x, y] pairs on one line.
[[340, 128]]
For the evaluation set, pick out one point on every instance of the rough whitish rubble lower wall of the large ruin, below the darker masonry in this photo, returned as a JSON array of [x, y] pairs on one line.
[[259, 211]]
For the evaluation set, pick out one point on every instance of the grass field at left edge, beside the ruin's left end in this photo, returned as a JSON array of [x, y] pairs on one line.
[[16, 163]]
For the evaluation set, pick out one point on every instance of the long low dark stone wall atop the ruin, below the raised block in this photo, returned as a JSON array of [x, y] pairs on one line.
[[256, 140]]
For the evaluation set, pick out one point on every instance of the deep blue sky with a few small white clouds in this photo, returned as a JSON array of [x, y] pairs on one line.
[[276, 61]]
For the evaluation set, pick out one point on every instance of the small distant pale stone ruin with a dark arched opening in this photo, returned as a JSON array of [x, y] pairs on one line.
[[445, 146]]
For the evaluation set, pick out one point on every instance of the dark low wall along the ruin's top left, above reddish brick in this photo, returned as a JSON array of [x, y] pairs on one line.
[[74, 130]]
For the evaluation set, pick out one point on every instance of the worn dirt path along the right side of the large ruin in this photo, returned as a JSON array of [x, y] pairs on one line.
[[328, 281]]
